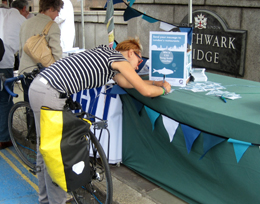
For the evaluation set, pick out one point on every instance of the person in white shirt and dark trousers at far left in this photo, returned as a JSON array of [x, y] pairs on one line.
[[10, 23]]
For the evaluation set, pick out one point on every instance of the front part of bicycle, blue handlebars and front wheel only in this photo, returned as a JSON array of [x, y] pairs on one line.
[[21, 124]]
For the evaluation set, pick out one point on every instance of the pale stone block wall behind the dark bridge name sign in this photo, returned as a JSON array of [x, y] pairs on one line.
[[238, 14]]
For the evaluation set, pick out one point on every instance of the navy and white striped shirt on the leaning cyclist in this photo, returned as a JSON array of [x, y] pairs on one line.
[[86, 70]]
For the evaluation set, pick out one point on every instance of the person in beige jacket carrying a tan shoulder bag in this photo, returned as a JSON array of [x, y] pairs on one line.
[[48, 11]]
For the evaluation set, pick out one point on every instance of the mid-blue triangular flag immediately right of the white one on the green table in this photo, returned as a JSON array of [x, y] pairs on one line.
[[190, 135]]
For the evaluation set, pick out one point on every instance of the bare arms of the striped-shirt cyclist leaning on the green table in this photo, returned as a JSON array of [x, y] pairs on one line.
[[128, 78]]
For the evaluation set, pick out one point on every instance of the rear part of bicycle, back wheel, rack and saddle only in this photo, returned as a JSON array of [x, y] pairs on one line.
[[96, 191]]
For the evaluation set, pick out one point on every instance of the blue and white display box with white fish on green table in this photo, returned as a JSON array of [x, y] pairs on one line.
[[169, 57]]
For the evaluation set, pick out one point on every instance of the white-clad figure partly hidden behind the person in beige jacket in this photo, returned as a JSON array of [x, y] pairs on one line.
[[65, 20]]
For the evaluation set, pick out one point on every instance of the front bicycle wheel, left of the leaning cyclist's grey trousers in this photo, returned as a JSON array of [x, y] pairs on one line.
[[22, 132]]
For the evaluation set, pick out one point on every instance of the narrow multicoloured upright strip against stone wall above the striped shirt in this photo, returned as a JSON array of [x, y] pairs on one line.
[[110, 22]]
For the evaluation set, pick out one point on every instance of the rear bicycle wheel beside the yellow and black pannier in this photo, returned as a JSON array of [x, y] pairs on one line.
[[100, 189]]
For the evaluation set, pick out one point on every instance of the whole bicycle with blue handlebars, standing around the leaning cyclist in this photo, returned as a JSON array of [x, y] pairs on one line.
[[23, 136]]
